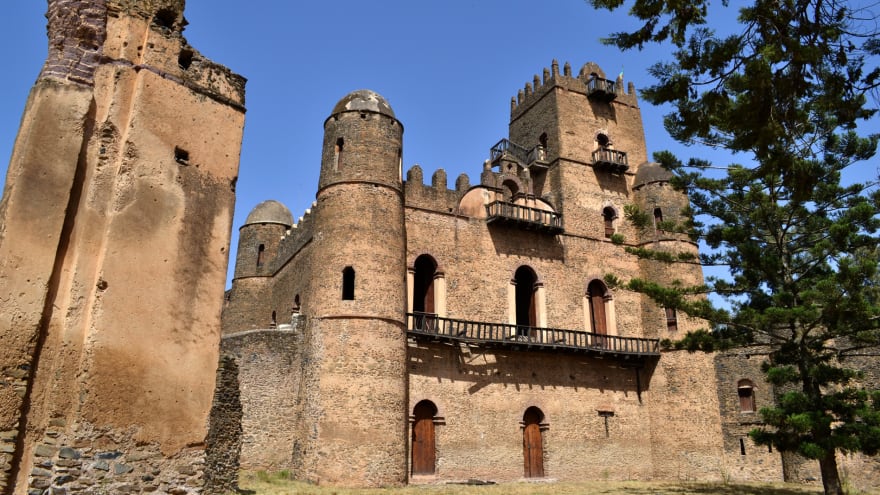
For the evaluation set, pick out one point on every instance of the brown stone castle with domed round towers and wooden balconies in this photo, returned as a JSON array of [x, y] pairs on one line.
[[475, 336]]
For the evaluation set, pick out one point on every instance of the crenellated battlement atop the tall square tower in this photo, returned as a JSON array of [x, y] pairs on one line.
[[591, 81]]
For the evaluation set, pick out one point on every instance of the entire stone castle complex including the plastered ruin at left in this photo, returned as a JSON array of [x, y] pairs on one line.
[[395, 333]]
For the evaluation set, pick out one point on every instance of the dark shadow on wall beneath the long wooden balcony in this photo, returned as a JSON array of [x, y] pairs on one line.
[[528, 370]]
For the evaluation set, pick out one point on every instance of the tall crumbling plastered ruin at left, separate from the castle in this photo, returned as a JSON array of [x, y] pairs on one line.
[[115, 220]]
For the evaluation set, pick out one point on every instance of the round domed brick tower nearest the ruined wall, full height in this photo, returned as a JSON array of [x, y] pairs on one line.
[[356, 335]]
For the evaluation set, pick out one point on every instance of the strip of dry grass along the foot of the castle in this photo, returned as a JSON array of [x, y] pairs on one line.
[[262, 483]]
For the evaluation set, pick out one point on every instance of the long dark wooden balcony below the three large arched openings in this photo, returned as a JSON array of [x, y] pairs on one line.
[[431, 327]]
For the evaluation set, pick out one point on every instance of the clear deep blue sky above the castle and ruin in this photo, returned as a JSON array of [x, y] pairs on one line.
[[448, 69]]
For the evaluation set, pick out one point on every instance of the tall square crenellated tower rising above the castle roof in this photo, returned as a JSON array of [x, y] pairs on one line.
[[591, 130]]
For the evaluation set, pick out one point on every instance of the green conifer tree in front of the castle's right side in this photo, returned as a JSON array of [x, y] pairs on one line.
[[786, 92]]
